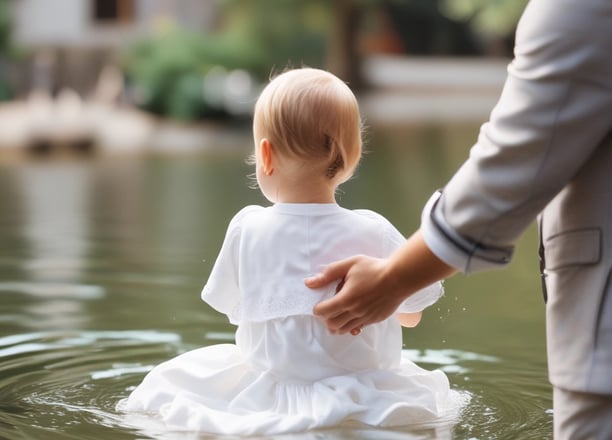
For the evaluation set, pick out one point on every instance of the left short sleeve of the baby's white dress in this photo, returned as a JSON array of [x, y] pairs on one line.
[[222, 290]]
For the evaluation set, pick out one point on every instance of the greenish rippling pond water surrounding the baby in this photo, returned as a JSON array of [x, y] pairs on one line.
[[102, 261]]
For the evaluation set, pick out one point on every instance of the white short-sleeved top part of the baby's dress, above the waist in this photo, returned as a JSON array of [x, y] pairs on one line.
[[268, 252]]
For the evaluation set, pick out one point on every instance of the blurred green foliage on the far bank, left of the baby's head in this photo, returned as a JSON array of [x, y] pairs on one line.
[[167, 70]]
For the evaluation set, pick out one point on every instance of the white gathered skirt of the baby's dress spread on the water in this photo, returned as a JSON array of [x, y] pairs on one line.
[[289, 375]]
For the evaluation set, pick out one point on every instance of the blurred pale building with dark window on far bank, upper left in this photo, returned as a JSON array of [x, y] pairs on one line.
[[68, 42]]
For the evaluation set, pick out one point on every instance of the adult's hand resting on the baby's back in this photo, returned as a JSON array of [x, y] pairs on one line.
[[365, 294]]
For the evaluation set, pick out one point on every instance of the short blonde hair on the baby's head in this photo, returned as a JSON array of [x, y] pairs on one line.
[[311, 114]]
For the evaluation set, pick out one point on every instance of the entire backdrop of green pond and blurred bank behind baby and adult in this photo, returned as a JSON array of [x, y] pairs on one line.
[[124, 128]]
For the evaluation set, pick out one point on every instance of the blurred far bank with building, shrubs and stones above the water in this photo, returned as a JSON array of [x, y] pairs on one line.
[[70, 69]]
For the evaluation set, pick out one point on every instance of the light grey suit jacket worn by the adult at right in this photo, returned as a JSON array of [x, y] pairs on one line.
[[547, 148]]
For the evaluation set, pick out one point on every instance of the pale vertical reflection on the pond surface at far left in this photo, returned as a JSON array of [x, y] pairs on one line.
[[53, 202]]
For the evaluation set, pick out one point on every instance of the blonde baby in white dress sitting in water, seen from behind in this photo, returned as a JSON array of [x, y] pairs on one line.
[[286, 372]]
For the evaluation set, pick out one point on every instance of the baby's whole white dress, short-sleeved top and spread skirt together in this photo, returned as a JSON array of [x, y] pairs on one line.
[[286, 372]]
